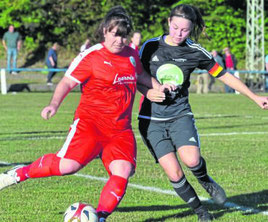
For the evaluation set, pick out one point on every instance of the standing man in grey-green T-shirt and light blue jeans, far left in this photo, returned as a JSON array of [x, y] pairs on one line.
[[12, 44]]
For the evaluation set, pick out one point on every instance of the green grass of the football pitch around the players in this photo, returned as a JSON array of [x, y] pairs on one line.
[[238, 162]]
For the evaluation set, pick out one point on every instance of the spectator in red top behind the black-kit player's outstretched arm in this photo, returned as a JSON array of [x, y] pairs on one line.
[[230, 63]]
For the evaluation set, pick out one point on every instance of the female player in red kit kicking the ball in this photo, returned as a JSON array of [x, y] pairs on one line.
[[108, 73]]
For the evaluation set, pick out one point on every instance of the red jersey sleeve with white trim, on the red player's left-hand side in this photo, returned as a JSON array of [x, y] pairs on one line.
[[80, 69]]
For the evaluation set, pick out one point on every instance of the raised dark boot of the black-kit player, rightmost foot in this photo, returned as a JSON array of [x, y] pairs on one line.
[[215, 191]]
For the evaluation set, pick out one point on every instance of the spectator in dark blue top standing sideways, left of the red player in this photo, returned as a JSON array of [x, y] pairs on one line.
[[52, 62]]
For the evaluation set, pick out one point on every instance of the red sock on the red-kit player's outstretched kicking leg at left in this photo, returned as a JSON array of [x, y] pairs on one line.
[[45, 166]]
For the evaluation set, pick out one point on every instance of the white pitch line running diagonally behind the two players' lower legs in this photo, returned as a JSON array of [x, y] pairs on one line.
[[173, 193]]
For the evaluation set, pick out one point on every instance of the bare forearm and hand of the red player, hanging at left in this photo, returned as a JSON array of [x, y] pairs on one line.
[[61, 91]]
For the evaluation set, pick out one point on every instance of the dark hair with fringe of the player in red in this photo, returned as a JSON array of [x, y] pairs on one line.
[[116, 16]]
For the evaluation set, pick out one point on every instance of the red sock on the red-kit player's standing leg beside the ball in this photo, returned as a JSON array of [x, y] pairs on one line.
[[112, 193]]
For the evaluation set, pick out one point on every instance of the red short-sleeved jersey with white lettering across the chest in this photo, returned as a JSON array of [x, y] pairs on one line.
[[108, 85]]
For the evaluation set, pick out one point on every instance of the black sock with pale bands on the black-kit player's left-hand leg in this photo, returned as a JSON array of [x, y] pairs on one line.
[[186, 192]]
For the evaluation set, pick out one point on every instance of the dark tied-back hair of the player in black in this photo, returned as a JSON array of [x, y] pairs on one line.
[[193, 14]]
